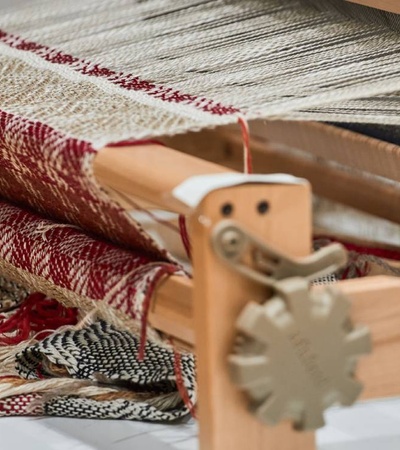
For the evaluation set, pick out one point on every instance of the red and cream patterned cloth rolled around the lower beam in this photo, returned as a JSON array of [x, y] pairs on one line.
[[70, 265]]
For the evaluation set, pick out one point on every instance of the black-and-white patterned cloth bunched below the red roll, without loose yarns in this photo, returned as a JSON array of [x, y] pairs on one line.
[[108, 356]]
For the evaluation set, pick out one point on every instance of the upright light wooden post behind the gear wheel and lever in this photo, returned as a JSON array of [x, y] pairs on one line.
[[219, 296]]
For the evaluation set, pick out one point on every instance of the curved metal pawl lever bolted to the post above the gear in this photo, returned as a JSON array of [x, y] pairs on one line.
[[259, 261]]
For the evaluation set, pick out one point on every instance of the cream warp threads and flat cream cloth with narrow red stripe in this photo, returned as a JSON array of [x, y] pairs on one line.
[[147, 68]]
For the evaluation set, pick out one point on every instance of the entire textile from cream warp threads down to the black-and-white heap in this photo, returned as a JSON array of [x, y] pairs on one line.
[[77, 273]]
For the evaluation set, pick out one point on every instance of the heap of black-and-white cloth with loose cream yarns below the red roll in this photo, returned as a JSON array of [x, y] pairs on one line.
[[95, 372]]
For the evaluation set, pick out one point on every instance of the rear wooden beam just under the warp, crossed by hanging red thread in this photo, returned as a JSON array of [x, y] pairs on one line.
[[319, 140]]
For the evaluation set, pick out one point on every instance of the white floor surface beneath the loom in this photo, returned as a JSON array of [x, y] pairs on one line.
[[367, 426]]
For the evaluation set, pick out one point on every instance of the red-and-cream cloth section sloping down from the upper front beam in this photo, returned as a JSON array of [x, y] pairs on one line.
[[44, 169]]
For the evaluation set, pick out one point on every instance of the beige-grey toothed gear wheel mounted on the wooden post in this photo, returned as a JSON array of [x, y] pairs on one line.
[[297, 354]]
